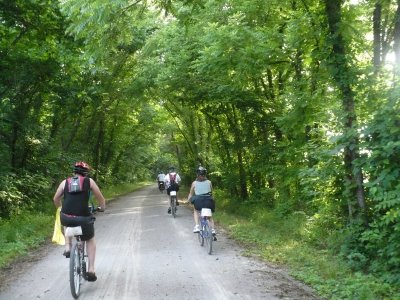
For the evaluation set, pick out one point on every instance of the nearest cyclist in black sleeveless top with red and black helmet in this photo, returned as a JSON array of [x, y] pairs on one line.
[[75, 192]]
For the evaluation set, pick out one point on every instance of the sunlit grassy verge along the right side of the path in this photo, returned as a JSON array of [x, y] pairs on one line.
[[290, 242]]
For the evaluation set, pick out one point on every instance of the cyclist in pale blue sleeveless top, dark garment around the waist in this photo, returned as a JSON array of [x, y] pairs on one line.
[[200, 196]]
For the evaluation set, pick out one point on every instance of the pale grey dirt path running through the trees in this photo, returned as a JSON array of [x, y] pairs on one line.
[[143, 253]]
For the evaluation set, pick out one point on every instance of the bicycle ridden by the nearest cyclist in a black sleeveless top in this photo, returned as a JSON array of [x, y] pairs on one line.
[[78, 261]]
